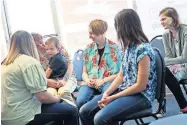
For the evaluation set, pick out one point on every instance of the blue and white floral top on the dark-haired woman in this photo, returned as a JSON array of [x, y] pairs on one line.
[[130, 59]]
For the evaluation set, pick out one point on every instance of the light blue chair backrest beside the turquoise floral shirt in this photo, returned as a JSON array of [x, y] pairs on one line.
[[78, 64]]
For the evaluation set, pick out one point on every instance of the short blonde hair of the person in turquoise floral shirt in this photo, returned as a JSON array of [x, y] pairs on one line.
[[98, 26]]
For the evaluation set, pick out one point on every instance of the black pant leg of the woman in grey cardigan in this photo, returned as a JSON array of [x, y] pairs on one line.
[[174, 87]]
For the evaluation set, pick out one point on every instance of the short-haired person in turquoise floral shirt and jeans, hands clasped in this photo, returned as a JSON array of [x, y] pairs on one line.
[[101, 63]]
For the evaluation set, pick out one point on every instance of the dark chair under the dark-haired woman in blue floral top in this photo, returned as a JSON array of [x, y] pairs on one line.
[[160, 94]]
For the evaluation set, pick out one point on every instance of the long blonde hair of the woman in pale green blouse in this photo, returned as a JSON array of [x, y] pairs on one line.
[[21, 43]]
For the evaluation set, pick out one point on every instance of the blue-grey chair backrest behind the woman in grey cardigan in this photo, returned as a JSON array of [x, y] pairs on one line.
[[158, 43]]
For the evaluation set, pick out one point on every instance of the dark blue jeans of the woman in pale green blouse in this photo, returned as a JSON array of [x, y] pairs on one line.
[[61, 114]]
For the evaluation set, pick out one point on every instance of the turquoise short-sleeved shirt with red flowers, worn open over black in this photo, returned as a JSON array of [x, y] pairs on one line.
[[109, 64]]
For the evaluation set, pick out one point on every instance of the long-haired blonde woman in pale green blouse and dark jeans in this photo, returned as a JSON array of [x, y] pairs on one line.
[[24, 97]]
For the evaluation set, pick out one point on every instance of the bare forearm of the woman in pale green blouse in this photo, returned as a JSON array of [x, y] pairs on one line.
[[46, 98]]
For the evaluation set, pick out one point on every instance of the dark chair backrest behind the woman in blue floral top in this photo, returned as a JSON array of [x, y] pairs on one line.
[[160, 72]]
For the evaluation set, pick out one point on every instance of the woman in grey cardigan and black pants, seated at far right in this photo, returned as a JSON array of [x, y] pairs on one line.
[[175, 44]]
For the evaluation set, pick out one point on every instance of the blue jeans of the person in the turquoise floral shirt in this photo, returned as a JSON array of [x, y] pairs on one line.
[[86, 93]]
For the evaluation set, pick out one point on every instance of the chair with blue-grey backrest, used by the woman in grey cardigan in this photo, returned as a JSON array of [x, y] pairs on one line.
[[157, 42]]
